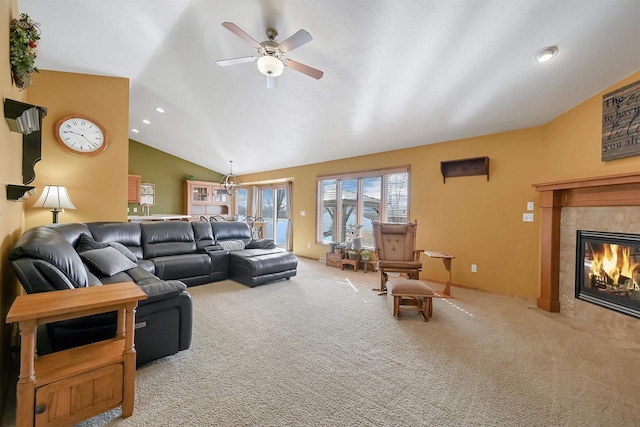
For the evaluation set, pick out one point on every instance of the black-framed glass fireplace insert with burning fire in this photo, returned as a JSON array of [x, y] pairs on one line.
[[607, 270]]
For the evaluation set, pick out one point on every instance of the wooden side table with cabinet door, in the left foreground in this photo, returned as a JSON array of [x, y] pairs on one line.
[[68, 386]]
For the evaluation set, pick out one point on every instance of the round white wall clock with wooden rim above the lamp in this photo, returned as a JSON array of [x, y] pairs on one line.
[[81, 135]]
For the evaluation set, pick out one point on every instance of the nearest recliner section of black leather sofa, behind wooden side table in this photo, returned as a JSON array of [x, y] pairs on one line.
[[45, 259]]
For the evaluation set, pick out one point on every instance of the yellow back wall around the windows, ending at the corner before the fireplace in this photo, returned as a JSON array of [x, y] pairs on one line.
[[478, 221]]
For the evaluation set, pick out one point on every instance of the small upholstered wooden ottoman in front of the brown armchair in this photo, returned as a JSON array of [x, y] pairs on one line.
[[410, 294]]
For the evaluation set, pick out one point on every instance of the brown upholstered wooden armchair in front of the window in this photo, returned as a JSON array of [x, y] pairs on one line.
[[395, 246]]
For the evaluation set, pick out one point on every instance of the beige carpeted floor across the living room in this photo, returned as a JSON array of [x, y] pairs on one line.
[[323, 350]]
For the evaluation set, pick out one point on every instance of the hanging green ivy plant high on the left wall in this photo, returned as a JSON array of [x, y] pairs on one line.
[[23, 49]]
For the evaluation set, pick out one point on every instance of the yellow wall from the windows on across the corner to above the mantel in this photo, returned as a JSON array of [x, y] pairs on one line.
[[479, 222]]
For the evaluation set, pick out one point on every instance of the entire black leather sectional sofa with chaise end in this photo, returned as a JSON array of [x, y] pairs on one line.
[[163, 258]]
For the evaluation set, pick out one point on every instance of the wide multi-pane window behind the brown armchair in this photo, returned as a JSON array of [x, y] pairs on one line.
[[348, 200]]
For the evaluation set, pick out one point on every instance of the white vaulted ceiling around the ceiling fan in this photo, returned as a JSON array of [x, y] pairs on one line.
[[397, 73]]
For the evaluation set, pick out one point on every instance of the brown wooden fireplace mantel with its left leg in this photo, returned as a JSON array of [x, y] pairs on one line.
[[612, 190]]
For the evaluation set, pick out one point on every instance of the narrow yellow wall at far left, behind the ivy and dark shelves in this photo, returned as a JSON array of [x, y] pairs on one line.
[[11, 213]]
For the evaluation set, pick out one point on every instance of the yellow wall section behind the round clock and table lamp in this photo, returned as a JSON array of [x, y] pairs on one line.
[[97, 185]]
